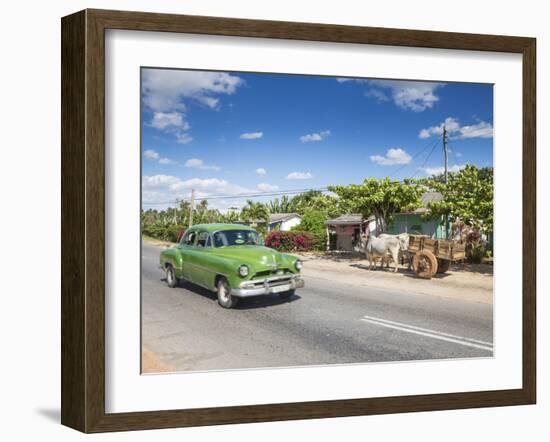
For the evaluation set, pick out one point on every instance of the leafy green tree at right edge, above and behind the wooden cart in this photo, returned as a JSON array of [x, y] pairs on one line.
[[467, 197]]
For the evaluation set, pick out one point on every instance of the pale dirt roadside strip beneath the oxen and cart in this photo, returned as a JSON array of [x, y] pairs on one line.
[[466, 282]]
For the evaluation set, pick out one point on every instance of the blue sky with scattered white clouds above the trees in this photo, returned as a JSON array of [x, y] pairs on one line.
[[234, 133]]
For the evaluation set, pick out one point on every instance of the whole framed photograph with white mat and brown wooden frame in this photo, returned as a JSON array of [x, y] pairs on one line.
[[268, 221]]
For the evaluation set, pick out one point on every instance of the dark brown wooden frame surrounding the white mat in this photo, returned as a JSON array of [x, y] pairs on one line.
[[83, 220]]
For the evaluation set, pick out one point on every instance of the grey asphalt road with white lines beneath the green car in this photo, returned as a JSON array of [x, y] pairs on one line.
[[326, 322]]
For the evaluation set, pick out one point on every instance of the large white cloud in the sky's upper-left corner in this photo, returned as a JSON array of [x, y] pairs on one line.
[[165, 89]]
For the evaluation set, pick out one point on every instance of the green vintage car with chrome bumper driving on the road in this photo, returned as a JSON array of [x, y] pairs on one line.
[[231, 260]]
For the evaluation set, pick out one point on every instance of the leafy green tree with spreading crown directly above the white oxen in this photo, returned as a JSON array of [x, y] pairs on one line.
[[379, 197]]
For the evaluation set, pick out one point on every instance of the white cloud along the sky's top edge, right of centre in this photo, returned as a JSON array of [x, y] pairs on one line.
[[416, 96]]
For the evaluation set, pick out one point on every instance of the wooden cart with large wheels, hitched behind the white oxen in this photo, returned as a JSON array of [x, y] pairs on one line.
[[431, 256]]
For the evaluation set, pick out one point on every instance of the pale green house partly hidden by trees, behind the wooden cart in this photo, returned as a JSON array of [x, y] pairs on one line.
[[414, 221]]
